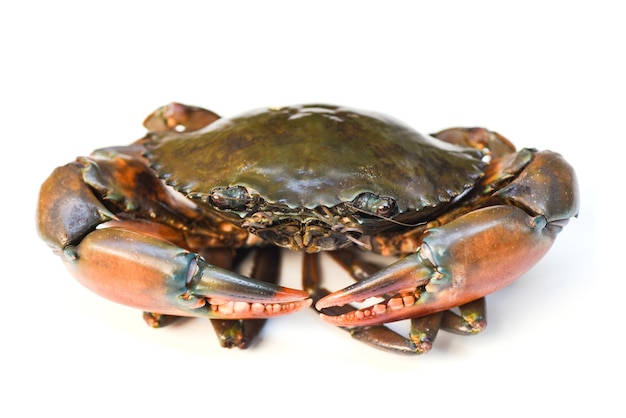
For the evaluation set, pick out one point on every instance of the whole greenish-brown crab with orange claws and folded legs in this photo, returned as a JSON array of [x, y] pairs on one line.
[[164, 223]]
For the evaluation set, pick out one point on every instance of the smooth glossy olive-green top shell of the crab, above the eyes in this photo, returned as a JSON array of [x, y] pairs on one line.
[[317, 155]]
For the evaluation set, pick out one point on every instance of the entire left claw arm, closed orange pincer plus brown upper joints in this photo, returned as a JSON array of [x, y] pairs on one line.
[[127, 263]]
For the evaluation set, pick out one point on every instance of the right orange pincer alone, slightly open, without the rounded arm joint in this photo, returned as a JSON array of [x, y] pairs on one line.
[[457, 263]]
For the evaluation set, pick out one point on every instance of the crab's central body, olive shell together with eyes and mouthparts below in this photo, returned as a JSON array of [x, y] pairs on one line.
[[287, 163]]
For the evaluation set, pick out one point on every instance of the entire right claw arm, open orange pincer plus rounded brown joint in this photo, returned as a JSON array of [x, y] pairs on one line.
[[475, 254]]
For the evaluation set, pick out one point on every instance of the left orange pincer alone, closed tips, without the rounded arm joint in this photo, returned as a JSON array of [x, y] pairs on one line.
[[154, 275]]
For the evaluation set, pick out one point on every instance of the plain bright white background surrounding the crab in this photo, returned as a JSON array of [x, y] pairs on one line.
[[81, 75]]
